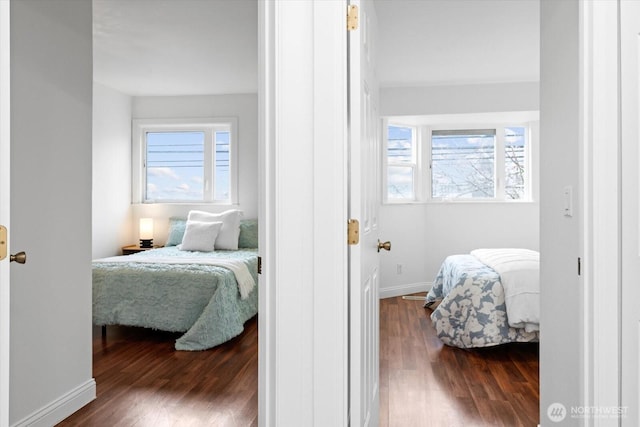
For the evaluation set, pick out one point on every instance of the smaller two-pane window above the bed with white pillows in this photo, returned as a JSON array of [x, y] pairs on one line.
[[184, 161]]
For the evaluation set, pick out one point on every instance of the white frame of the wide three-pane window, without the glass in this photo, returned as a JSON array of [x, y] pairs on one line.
[[423, 176]]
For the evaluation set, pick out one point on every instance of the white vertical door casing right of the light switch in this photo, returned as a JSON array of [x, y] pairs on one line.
[[600, 158]]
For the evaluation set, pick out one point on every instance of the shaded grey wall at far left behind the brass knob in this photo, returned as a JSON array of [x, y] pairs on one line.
[[51, 86]]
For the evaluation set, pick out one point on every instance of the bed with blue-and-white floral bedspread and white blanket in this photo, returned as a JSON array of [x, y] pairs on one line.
[[486, 298]]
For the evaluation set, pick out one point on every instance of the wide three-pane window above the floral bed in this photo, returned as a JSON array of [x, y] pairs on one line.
[[472, 163]]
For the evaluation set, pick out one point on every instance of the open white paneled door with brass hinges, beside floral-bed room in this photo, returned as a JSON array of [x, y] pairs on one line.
[[363, 205]]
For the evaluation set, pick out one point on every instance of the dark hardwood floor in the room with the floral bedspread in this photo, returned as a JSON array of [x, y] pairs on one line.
[[425, 383]]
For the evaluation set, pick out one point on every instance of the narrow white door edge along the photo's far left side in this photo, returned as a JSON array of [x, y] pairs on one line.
[[5, 189]]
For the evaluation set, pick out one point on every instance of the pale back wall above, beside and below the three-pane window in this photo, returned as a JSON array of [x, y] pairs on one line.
[[422, 235]]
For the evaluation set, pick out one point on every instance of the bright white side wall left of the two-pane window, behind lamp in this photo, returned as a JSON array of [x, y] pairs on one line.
[[111, 224]]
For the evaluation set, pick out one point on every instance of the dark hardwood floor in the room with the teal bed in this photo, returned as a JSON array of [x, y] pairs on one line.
[[143, 381]]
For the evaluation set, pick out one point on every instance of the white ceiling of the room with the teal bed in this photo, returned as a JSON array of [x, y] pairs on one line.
[[176, 47]]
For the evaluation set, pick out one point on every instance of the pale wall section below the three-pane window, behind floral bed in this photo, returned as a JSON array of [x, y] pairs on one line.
[[423, 235]]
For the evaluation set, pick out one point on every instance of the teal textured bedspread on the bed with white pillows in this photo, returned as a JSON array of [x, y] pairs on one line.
[[203, 301]]
